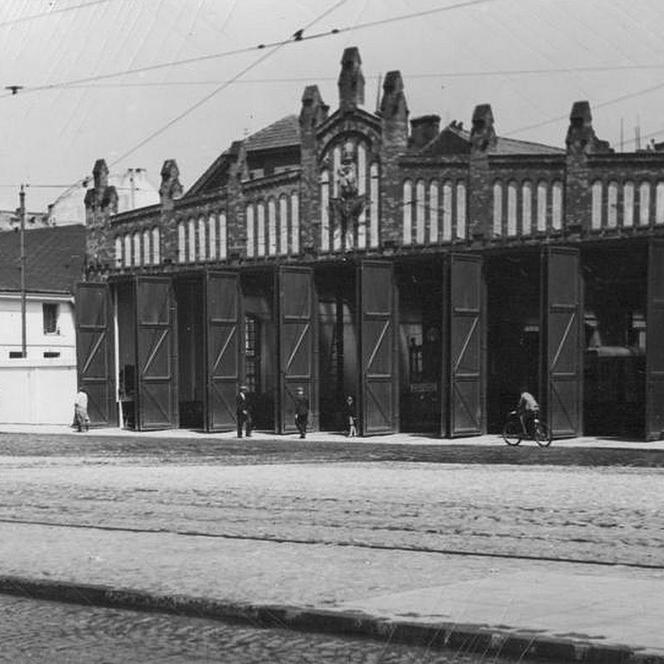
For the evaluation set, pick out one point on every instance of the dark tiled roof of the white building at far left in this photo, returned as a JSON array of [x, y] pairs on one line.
[[54, 259]]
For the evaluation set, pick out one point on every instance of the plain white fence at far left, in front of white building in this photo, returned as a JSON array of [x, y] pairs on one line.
[[36, 393]]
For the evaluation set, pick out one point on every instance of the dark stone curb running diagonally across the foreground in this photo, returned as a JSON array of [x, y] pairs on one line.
[[466, 638]]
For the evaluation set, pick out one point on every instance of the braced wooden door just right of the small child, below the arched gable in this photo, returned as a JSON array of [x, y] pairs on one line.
[[377, 317]]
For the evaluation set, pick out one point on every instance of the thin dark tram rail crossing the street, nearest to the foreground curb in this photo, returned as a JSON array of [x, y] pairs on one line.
[[340, 543]]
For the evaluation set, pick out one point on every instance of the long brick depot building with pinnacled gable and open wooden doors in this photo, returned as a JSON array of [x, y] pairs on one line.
[[430, 273]]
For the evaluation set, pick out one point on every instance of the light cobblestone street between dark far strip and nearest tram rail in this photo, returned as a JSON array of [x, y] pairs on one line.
[[607, 514]]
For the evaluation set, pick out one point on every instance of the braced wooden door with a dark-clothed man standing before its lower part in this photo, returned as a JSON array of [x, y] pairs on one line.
[[298, 346]]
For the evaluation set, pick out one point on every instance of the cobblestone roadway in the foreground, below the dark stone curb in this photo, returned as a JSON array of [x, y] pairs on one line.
[[35, 632]]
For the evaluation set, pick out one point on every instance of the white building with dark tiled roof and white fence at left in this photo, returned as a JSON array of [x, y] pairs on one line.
[[39, 388]]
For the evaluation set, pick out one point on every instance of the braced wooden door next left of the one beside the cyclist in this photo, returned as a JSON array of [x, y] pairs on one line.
[[463, 407]]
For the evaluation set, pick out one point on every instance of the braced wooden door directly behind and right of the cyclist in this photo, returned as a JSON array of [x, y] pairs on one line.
[[563, 369]]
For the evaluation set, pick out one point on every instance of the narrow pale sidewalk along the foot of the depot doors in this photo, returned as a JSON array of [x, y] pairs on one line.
[[318, 437]]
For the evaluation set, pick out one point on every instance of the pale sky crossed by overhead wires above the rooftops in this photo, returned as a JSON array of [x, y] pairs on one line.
[[530, 59]]
